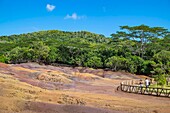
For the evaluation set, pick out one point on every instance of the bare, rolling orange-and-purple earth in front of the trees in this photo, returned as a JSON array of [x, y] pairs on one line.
[[34, 88]]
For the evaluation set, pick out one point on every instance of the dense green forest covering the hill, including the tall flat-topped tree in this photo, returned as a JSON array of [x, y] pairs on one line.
[[137, 49]]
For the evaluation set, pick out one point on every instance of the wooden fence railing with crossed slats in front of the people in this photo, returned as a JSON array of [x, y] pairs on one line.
[[164, 92]]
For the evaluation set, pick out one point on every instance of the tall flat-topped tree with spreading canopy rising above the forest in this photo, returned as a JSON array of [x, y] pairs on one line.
[[143, 34]]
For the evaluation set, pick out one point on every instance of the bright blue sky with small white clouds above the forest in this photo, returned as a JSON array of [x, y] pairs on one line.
[[98, 16]]
